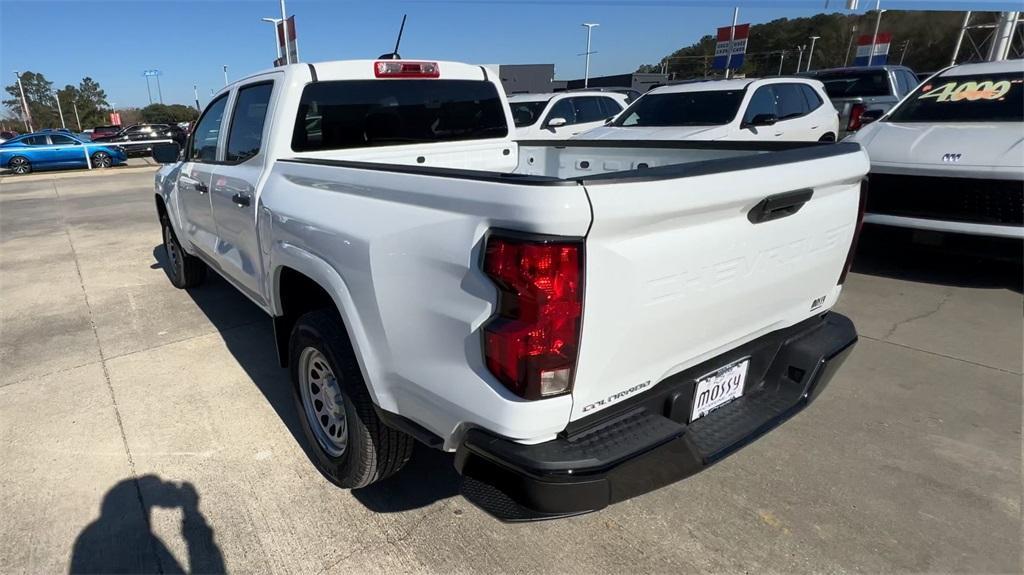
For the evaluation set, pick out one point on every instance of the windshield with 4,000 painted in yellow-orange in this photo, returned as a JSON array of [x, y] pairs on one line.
[[991, 98]]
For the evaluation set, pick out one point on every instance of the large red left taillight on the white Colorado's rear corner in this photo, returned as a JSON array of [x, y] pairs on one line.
[[531, 344]]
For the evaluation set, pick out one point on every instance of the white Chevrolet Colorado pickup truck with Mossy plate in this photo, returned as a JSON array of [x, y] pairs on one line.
[[581, 323]]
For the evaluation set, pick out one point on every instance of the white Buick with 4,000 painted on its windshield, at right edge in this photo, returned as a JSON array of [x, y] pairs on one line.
[[951, 157]]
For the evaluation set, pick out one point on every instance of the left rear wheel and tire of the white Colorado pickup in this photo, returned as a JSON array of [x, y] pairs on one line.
[[326, 374]]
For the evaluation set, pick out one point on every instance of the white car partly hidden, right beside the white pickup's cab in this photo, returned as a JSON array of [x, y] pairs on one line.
[[563, 115]]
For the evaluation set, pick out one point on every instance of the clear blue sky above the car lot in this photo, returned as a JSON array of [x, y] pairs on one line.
[[114, 41]]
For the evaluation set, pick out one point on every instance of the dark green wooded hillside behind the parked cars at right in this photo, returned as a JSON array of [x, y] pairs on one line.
[[931, 36]]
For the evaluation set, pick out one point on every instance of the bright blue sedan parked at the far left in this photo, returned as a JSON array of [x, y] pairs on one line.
[[55, 150]]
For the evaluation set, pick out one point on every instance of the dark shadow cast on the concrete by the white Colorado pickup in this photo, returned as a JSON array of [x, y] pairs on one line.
[[248, 333]]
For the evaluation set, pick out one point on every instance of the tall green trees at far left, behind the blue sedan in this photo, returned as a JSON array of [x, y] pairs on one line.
[[88, 97]]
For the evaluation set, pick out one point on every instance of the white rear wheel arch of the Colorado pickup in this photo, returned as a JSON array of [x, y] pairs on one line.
[[304, 283]]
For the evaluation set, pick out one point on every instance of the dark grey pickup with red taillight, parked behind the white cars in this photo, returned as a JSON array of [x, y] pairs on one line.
[[856, 91]]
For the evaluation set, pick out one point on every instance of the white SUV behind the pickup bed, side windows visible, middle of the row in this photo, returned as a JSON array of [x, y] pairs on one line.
[[769, 110]]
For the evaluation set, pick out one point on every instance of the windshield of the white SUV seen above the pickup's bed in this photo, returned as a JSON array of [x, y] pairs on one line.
[[684, 109]]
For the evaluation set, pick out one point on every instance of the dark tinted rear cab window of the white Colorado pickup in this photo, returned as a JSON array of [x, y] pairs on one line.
[[351, 114]]
